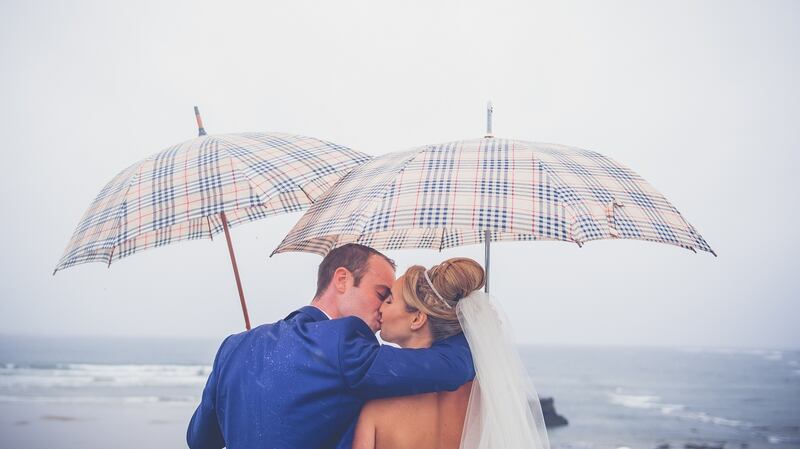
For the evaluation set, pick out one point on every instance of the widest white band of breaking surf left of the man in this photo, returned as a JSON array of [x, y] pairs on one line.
[[76, 375]]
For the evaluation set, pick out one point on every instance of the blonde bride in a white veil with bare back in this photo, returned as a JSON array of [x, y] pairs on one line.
[[498, 410]]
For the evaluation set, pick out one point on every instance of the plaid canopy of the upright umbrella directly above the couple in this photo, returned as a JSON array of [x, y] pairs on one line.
[[446, 195]]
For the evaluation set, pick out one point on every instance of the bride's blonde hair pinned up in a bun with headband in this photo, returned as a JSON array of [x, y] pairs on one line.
[[453, 279]]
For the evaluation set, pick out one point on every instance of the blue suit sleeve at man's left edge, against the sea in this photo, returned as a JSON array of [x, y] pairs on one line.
[[204, 431]]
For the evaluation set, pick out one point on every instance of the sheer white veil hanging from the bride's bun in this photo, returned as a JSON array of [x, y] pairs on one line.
[[504, 410]]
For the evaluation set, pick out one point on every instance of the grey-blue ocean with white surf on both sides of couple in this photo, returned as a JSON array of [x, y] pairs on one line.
[[135, 393]]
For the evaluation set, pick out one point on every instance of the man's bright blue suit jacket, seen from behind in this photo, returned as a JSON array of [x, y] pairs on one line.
[[301, 382]]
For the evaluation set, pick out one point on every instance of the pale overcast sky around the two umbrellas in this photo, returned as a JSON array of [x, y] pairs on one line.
[[700, 98]]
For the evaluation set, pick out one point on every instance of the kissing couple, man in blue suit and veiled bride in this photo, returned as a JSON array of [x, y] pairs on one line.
[[320, 378]]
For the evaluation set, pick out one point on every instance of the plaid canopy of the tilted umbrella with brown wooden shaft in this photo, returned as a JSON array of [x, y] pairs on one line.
[[179, 193]]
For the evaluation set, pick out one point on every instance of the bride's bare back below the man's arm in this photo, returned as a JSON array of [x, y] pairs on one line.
[[423, 421]]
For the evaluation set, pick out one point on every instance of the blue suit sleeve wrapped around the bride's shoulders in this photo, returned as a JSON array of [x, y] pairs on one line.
[[375, 371]]
